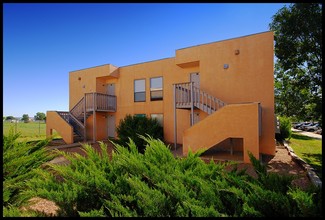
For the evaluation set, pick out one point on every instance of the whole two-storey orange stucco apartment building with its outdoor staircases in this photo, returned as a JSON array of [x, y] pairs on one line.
[[217, 95]]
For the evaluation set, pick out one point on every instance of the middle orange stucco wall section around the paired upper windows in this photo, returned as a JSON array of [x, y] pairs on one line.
[[171, 73]]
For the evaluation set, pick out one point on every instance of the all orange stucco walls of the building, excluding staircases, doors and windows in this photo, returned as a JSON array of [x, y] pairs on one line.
[[248, 78]]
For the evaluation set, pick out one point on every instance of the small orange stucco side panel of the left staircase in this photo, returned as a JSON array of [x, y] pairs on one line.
[[55, 121]]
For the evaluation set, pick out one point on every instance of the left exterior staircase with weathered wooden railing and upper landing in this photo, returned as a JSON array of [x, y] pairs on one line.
[[90, 103]]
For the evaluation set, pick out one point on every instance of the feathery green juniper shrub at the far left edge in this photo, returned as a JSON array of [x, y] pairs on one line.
[[20, 159]]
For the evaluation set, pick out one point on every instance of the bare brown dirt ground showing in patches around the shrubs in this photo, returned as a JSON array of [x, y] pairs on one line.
[[281, 163]]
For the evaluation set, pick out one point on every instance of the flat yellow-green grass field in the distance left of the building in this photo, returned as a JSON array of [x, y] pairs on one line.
[[28, 131]]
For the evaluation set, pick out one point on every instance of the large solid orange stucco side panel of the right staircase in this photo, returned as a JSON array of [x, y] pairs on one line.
[[234, 120]]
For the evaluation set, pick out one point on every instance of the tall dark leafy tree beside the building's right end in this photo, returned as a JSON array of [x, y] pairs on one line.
[[298, 48]]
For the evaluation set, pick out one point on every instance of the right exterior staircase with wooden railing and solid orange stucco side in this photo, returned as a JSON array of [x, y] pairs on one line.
[[224, 121]]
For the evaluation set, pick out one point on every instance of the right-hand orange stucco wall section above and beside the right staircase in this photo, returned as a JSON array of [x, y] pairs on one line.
[[249, 77]]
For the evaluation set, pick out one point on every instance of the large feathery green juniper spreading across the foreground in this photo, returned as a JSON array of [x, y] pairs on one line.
[[156, 184]]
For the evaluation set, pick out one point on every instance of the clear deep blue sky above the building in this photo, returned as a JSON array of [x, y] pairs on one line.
[[43, 42]]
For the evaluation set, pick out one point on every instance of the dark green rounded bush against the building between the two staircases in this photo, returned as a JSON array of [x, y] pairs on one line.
[[132, 126]]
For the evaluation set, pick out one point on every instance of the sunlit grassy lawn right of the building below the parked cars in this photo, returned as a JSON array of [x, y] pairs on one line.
[[309, 149]]
